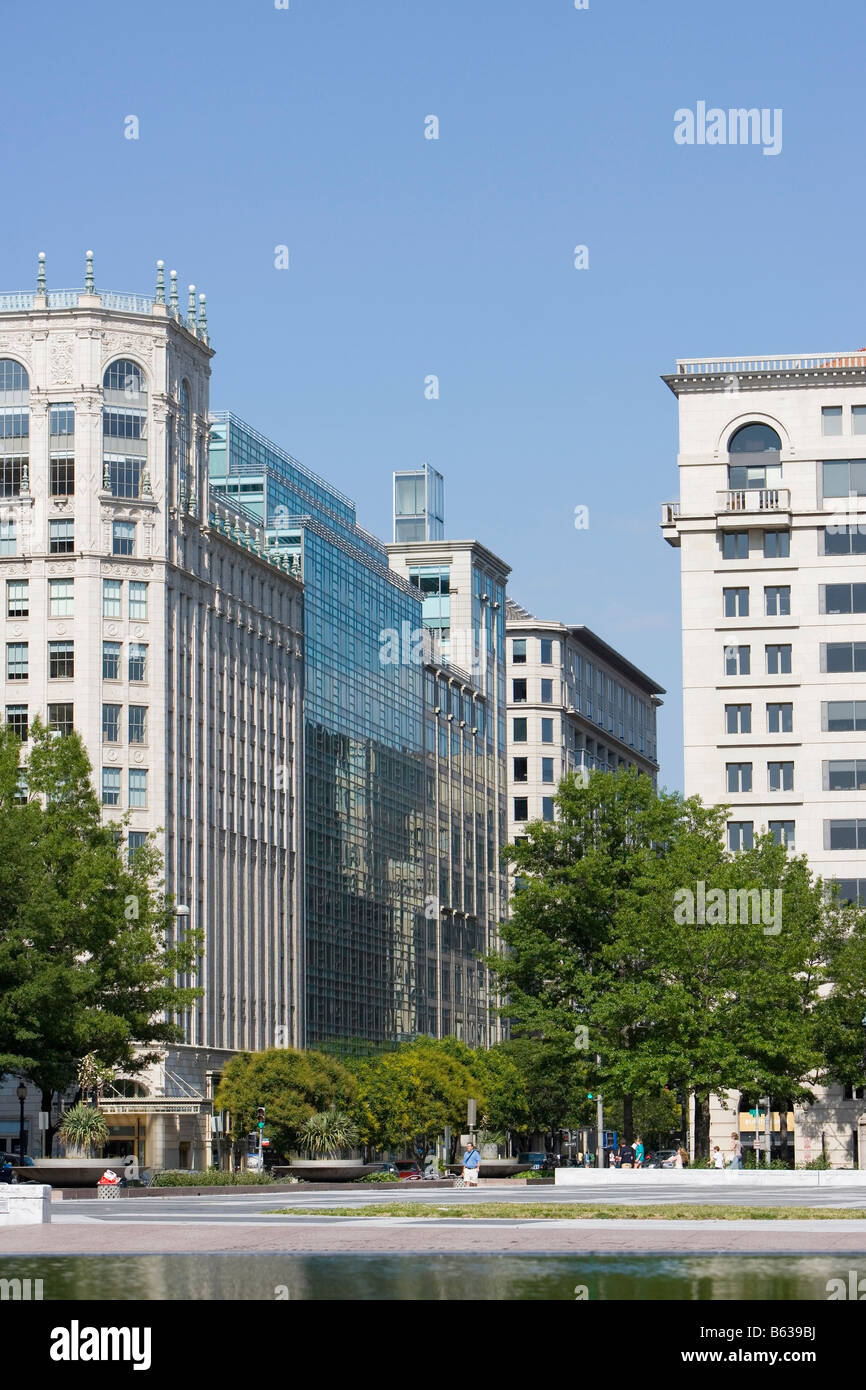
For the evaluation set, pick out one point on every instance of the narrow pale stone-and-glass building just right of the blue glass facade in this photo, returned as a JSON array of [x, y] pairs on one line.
[[462, 587]]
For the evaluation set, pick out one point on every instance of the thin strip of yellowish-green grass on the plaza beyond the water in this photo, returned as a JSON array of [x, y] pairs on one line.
[[580, 1211]]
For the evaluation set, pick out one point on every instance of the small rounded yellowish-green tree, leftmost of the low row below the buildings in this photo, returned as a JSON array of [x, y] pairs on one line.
[[291, 1085]]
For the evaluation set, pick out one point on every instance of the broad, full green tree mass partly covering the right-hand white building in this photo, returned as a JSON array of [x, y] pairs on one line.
[[596, 943]]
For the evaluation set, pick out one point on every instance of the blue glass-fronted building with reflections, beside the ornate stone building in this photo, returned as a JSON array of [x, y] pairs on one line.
[[363, 749]]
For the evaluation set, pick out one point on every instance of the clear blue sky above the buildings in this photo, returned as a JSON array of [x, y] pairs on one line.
[[305, 127]]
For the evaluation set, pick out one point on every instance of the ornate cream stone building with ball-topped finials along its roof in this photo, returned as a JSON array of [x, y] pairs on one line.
[[170, 636]]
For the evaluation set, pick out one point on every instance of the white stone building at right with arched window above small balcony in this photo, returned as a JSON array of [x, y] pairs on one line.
[[772, 529]]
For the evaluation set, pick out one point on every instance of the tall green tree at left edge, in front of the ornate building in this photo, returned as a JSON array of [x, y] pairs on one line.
[[85, 967]]
